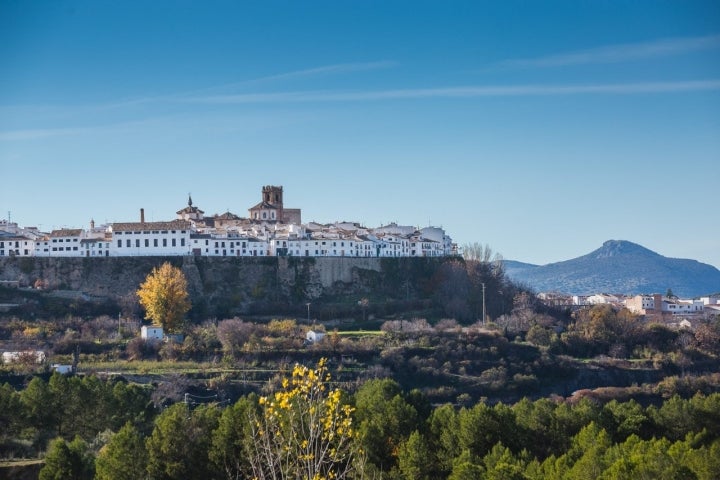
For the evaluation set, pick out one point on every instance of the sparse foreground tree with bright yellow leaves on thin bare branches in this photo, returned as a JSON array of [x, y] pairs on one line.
[[304, 431]]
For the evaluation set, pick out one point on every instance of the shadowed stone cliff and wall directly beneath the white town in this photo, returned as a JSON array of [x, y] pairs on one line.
[[229, 285]]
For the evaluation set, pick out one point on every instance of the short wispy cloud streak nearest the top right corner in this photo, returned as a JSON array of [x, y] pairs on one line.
[[618, 53]]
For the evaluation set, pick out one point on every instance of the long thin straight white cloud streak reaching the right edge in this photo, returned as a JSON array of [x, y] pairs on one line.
[[461, 92]]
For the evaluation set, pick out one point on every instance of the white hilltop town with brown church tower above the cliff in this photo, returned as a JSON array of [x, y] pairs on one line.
[[270, 229]]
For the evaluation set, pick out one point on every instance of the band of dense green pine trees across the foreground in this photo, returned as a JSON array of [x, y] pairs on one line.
[[400, 435]]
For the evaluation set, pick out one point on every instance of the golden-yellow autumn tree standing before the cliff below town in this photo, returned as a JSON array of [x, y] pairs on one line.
[[164, 296]]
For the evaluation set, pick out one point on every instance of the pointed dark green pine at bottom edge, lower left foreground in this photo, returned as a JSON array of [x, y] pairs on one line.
[[124, 456]]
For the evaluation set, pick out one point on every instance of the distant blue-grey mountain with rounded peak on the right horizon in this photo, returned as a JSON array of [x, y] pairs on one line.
[[619, 266]]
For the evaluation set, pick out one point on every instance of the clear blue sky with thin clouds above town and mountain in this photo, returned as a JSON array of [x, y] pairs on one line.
[[539, 128]]
